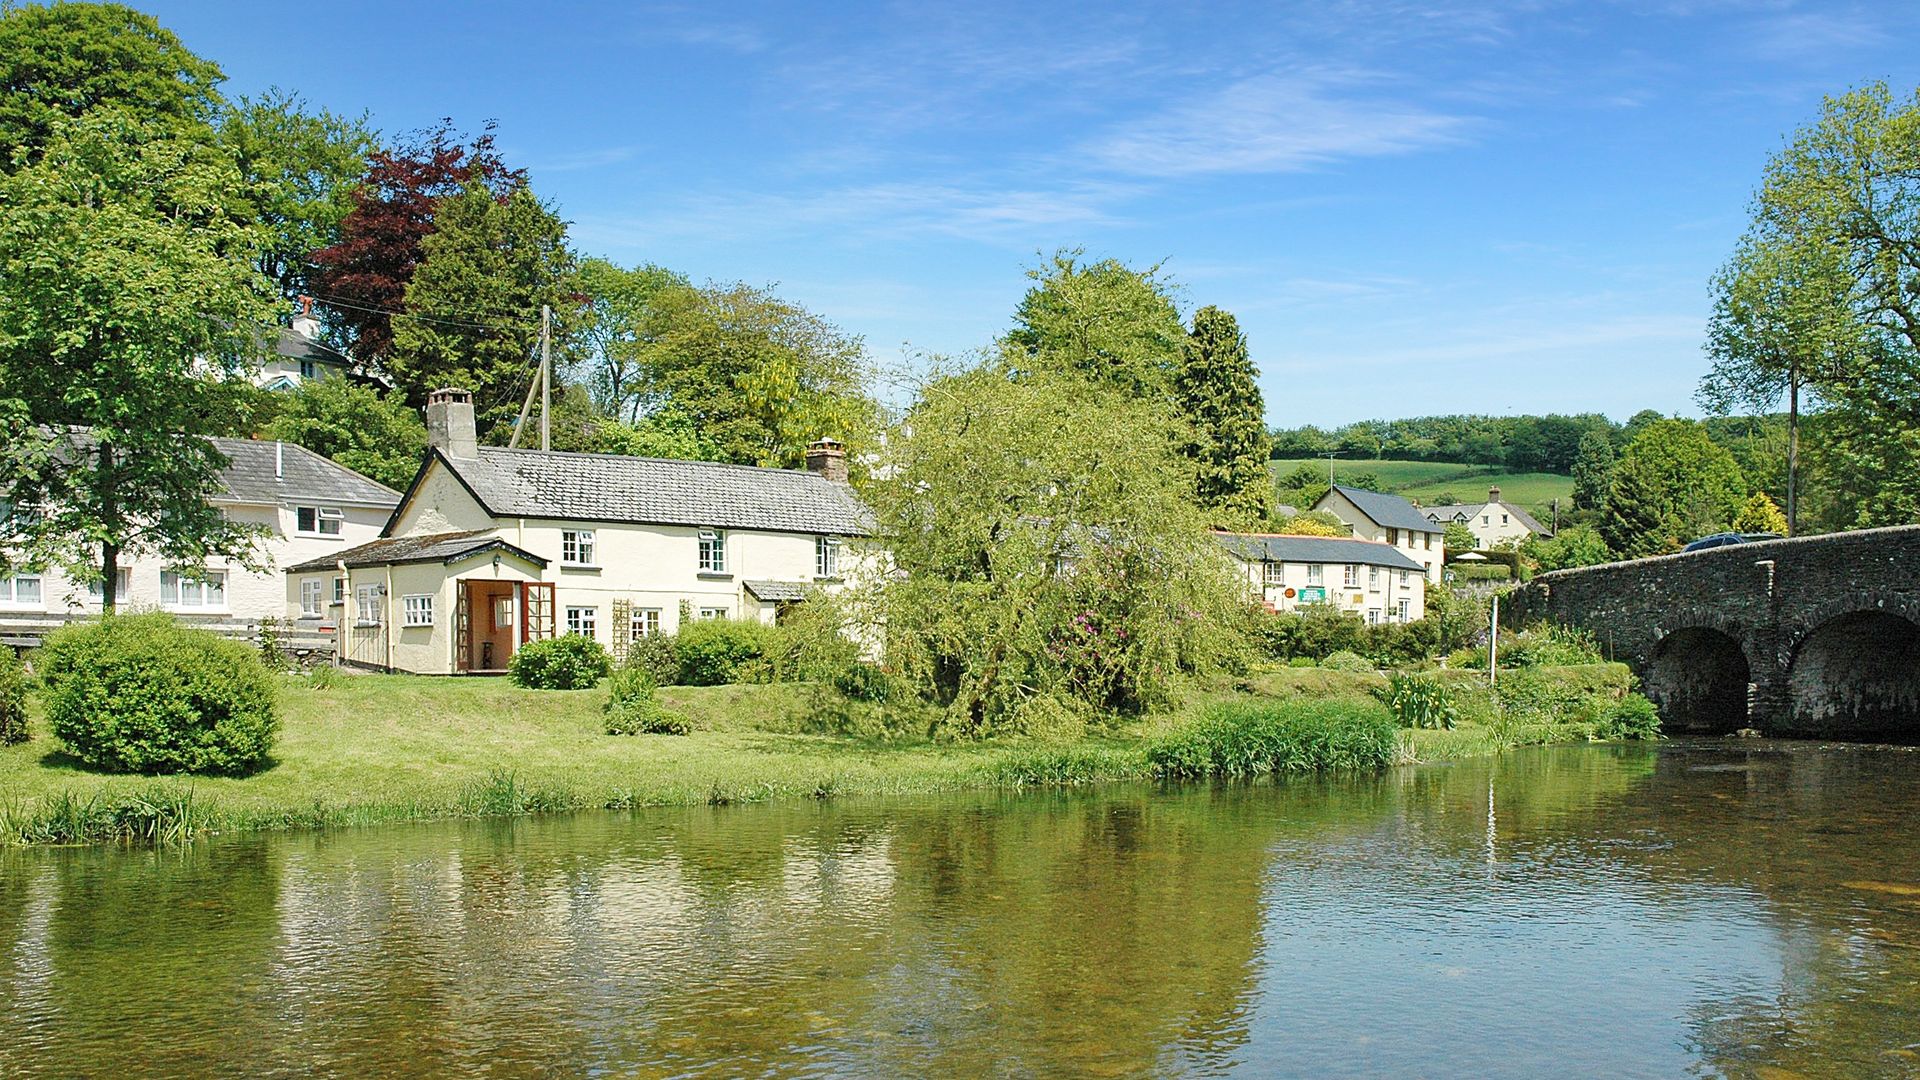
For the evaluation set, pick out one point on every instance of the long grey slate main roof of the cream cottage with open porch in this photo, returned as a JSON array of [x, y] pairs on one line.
[[652, 491]]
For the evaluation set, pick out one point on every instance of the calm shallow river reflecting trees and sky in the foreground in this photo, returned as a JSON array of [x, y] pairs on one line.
[[1692, 908]]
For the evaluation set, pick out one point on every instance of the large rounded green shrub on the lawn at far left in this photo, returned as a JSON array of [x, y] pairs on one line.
[[143, 695]]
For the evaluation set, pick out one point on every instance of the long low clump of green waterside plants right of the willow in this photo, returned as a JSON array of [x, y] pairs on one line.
[[1253, 739]]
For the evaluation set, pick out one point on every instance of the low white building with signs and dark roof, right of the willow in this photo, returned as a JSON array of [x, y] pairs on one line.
[[1372, 579]]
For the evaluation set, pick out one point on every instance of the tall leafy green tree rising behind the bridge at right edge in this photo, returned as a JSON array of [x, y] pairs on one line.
[[1823, 289]]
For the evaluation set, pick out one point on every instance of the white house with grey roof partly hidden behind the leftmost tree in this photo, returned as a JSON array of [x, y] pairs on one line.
[[308, 506]]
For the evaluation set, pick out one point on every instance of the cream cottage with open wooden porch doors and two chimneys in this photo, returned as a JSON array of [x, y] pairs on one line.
[[492, 549]]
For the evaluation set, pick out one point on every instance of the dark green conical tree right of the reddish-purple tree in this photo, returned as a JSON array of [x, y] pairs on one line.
[[473, 307]]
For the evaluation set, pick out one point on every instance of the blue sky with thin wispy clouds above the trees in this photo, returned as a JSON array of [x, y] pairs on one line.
[[1414, 209]]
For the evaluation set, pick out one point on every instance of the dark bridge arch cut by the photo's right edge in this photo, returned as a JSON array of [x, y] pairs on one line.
[[1858, 675]]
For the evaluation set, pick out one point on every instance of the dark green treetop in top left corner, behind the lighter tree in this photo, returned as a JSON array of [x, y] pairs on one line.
[[64, 61]]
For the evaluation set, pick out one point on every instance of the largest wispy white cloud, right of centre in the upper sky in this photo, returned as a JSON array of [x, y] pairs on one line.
[[1274, 124]]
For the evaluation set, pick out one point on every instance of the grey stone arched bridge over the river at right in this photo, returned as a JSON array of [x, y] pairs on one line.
[[1815, 637]]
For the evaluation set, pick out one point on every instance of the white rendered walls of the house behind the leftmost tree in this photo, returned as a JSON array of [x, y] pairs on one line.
[[251, 595]]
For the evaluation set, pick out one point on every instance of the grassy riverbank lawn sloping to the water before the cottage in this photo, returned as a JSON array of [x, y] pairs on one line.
[[395, 749]]
